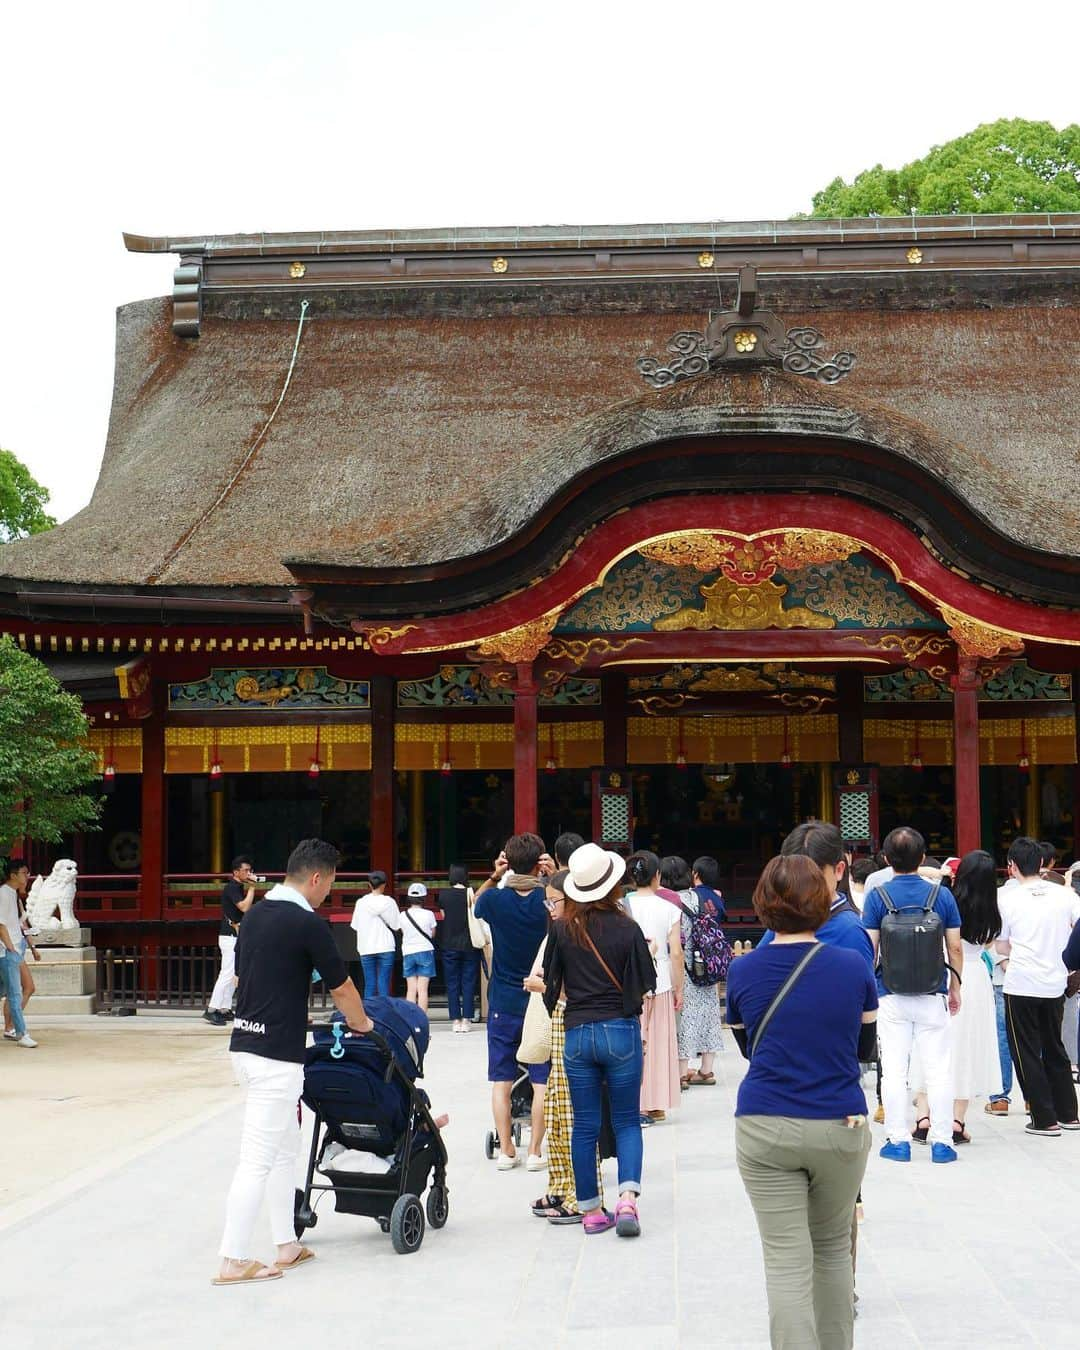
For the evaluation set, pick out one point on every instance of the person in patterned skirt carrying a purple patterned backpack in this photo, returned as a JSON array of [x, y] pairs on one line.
[[708, 956]]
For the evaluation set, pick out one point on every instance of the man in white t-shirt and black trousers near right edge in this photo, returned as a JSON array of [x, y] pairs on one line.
[[1037, 919]]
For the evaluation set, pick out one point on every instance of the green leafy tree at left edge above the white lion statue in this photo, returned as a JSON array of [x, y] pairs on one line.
[[45, 763]]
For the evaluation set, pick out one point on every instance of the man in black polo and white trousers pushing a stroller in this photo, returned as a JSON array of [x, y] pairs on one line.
[[281, 944]]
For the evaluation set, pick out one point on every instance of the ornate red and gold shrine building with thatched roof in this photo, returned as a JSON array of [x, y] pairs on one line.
[[670, 535]]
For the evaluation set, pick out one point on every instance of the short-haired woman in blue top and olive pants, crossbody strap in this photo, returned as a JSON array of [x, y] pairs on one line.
[[804, 1015]]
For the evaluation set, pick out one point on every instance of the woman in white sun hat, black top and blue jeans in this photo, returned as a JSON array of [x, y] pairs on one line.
[[599, 961]]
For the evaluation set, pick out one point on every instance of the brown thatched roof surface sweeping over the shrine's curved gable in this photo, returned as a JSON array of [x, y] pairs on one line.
[[410, 439]]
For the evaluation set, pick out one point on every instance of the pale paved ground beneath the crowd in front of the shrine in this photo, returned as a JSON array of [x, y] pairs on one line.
[[981, 1253]]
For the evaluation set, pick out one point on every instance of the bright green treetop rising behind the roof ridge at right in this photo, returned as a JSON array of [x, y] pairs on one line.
[[1000, 168]]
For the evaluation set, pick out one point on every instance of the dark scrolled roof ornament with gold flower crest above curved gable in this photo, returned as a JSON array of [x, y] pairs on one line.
[[747, 337]]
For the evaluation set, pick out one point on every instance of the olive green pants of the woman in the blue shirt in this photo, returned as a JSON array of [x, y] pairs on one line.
[[803, 1178]]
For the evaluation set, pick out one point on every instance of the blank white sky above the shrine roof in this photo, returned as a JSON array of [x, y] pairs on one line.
[[242, 115]]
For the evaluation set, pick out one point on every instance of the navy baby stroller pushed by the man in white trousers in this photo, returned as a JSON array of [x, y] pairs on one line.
[[362, 1093]]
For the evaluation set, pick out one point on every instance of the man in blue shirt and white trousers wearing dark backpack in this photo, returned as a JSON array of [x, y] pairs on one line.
[[912, 924]]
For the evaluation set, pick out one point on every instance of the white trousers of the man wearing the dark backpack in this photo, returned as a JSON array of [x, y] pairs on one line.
[[905, 1021]]
